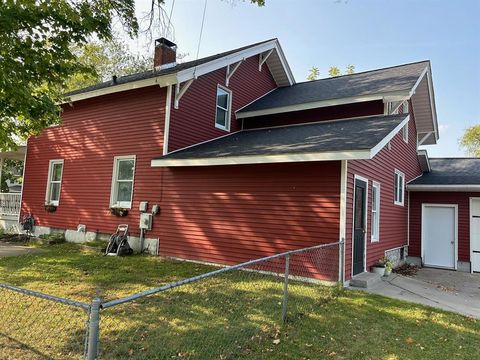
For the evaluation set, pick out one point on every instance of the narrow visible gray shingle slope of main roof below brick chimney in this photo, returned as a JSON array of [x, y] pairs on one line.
[[154, 73]]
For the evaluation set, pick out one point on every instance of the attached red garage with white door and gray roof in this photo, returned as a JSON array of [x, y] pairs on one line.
[[444, 215]]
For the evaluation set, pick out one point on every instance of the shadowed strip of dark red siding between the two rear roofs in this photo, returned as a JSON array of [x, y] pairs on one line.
[[313, 115]]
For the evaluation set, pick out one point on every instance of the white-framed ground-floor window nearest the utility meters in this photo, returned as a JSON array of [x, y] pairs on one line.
[[122, 181]]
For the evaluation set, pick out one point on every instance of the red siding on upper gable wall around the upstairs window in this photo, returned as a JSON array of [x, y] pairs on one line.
[[194, 120]]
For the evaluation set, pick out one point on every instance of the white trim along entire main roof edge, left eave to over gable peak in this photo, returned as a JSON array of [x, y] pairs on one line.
[[191, 73]]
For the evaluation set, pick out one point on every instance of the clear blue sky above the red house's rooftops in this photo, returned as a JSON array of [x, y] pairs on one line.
[[366, 33]]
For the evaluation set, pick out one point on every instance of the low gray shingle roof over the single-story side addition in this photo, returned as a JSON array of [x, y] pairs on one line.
[[326, 136]]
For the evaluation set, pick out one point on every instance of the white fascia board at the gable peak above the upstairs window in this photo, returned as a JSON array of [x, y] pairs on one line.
[[213, 65]]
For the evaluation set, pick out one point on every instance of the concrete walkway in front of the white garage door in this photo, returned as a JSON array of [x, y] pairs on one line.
[[449, 290]]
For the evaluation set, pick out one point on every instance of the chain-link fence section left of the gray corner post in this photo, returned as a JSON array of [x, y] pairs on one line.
[[34, 325]]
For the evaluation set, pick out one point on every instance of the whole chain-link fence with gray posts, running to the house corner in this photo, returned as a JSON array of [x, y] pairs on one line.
[[228, 313]]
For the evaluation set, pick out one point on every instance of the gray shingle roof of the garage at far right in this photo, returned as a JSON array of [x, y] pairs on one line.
[[451, 171]]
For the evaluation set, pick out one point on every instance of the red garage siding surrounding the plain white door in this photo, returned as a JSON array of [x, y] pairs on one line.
[[462, 199]]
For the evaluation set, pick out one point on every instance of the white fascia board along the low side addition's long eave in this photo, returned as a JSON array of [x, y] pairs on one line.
[[263, 159]]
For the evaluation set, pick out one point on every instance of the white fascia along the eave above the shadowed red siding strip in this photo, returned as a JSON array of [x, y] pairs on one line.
[[320, 104]]
